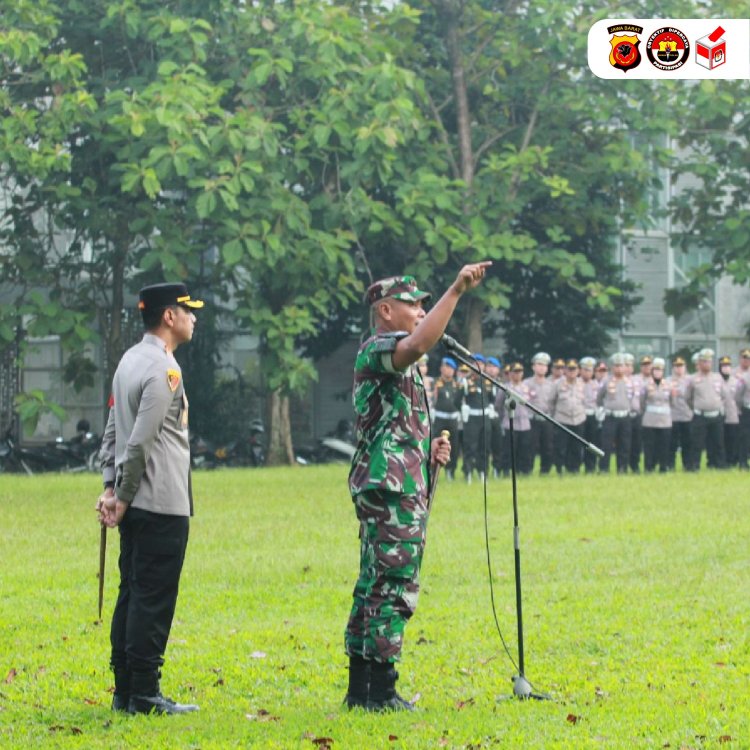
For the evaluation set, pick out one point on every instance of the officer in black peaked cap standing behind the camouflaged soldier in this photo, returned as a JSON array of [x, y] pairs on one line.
[[145, 459]]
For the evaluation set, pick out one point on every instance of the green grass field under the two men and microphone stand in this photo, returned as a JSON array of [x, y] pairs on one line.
[[635, 610]]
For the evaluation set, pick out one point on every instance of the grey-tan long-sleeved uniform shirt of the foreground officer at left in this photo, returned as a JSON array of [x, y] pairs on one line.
[[145, 450]]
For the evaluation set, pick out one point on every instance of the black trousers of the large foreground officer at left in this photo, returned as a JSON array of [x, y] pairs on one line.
[[152, 550]]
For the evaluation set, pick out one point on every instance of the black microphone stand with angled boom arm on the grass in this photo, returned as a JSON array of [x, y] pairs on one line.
[[521, 686]]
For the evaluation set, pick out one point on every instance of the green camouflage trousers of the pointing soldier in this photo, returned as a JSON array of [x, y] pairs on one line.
[[392, 534]]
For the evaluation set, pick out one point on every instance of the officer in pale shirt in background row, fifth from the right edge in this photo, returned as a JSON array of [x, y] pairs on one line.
[[656, 417]]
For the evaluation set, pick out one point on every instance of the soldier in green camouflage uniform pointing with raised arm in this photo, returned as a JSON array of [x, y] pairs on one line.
[[390, 478]]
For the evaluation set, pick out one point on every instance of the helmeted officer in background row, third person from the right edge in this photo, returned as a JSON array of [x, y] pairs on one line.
[[706, 396]]
